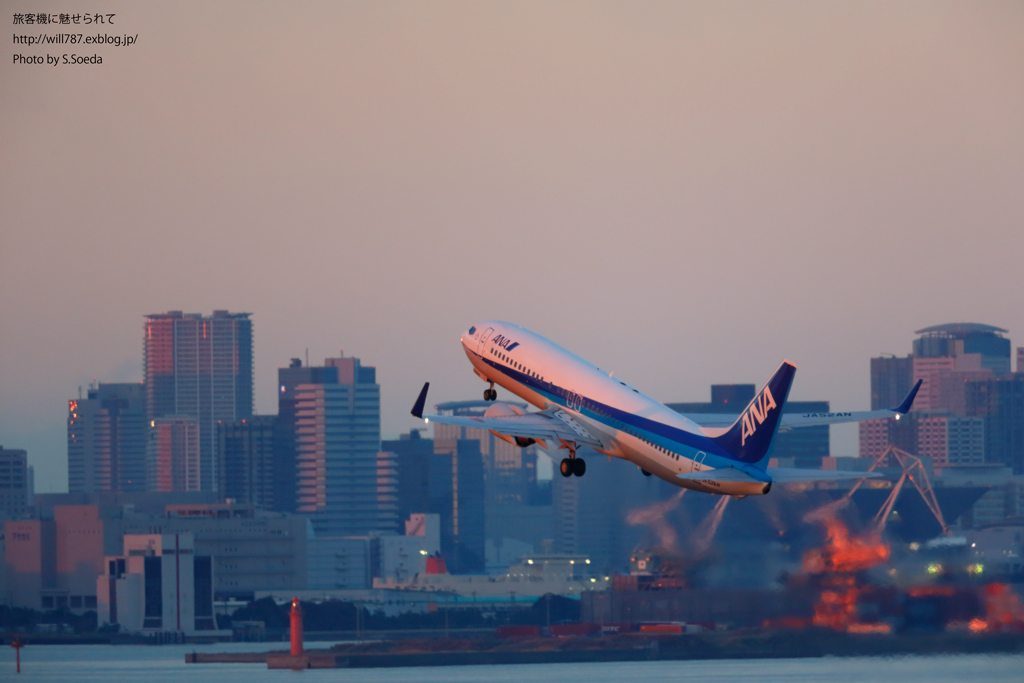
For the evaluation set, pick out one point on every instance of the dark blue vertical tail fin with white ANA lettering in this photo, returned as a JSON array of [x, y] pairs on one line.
[[750, 437]]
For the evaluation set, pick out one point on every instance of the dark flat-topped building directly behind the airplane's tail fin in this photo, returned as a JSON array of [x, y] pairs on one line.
[[806, 446]]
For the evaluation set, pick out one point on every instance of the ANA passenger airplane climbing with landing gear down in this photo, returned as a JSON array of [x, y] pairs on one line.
[[580, 405]]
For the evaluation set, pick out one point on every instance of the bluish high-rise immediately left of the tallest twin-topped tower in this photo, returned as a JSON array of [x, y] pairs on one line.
[[107, 440]]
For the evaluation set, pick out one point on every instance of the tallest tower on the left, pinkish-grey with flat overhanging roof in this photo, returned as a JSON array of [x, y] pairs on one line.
[[200, 368]]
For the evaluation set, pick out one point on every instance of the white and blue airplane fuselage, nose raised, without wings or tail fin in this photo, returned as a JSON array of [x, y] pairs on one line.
[[629, 424]]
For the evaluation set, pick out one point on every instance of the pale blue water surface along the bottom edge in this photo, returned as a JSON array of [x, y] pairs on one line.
[[166, 664]]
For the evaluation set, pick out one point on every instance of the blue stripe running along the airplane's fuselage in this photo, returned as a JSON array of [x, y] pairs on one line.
[[670, 438]]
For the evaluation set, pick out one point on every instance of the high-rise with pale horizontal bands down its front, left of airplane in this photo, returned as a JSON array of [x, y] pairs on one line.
[[329, 440]]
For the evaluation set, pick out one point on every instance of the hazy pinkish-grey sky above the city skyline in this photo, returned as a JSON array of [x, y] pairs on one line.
[[684, 194]]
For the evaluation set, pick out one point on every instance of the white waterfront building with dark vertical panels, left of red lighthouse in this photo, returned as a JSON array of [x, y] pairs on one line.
[[158, 585]]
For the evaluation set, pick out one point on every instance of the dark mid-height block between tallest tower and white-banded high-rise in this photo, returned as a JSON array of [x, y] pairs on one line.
[[245, 459]]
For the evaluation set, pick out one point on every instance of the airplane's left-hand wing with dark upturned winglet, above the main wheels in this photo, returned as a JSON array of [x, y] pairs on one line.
[[554, 424]]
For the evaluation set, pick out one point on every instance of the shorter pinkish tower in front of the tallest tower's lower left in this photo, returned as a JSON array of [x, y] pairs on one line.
[[175, 455]]
